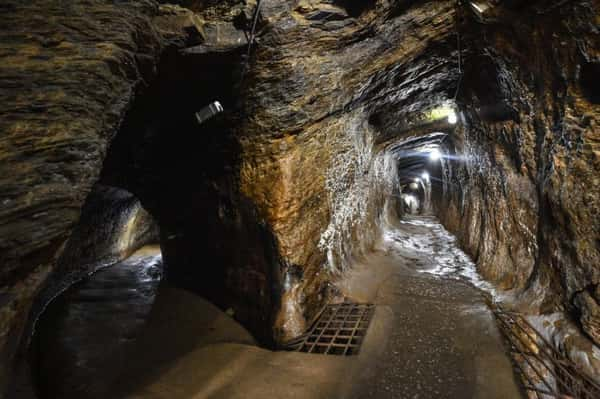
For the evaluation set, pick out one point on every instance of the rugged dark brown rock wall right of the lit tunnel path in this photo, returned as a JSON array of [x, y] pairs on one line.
[[527, 185]]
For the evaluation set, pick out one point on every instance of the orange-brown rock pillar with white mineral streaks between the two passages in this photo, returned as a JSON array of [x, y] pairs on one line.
[[327, 86]]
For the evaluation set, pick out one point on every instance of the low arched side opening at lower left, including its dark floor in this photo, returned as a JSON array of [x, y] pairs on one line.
[[80, 340]]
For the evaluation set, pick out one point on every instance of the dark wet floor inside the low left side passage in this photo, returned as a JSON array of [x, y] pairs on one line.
[[82, 337]]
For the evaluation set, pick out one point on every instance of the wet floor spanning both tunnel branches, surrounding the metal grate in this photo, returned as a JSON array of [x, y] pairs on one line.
[[120, 334]]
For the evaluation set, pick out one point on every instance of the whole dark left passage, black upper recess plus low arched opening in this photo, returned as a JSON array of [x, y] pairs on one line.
[[183, 172]]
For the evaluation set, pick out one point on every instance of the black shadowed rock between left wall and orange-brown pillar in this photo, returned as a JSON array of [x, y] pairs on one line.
[[184, 171]]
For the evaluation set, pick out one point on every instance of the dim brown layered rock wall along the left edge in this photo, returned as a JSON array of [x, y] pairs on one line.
[[68, 74]]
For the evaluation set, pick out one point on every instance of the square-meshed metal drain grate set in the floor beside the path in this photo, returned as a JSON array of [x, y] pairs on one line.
[[339, 330]]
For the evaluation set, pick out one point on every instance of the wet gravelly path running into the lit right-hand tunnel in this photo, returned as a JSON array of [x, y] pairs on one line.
[[441, 340]]
